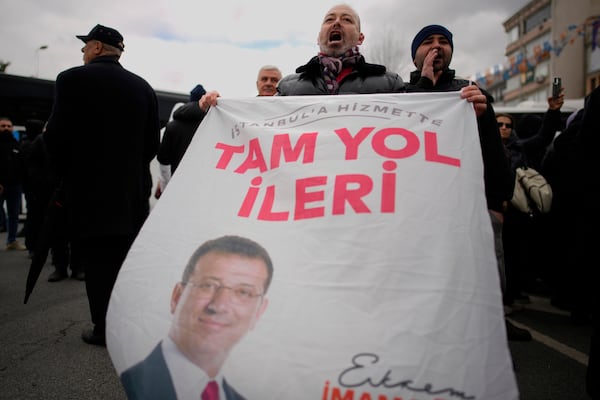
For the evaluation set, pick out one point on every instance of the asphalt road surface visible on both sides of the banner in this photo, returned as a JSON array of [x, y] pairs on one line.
[[42, 356]]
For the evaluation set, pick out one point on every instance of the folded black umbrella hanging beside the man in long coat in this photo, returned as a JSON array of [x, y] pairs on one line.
[[54, 220]]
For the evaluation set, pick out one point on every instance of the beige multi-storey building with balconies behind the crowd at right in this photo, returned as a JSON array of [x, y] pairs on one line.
[[548, 38]]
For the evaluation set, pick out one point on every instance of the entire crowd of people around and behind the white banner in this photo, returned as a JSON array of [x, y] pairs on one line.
[[79, 146]]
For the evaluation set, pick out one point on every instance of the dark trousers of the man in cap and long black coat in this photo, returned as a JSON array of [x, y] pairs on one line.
[[101, 258]]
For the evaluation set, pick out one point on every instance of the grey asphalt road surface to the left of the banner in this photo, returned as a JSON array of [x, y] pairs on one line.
[[42, 356]]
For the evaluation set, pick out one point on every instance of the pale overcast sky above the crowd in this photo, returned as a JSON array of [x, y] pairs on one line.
[[175, 44]]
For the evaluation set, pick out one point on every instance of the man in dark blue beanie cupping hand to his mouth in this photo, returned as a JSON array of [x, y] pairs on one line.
[[432, 50]]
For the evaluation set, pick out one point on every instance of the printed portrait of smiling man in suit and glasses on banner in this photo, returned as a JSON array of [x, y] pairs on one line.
[[220, 297]]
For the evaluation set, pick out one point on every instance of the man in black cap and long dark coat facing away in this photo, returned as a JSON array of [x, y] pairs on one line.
[[101, 136]]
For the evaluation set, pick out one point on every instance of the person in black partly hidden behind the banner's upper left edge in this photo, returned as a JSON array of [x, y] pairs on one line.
[[177, 136]]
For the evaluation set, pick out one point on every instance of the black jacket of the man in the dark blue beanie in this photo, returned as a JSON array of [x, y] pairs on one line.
[[499, 182]]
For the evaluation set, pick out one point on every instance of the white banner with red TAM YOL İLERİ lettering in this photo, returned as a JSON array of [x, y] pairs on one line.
[[372, 209]]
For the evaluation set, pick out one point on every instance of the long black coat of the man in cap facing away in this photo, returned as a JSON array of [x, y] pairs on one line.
[[101, 136]]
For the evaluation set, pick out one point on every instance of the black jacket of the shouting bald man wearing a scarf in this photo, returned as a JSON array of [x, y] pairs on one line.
[[365, 78]]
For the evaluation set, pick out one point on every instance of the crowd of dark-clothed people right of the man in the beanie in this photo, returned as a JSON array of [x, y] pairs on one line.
[[549, 253]]
